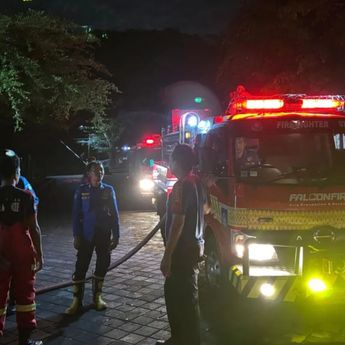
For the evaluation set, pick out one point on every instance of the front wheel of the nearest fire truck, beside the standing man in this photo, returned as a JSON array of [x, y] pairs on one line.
[[214, 271]]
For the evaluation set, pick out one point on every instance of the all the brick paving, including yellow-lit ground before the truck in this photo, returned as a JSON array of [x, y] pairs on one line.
[[136, 312]]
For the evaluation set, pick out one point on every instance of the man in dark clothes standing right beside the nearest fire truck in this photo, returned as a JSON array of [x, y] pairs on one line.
[[184, 249]]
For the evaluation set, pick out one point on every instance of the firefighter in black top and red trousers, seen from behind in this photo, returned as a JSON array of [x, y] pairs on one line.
[[20, 248]]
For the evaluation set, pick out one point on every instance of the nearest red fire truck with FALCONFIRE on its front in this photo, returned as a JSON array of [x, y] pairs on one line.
[[275, 171]]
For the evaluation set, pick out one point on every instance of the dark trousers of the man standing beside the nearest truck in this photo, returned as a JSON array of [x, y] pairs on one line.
[[182, 303]]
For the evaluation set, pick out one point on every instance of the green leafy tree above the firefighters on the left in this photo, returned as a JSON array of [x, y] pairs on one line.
[[48, 73]]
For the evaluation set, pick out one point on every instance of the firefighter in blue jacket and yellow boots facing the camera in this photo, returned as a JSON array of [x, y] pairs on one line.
[[95, 227]]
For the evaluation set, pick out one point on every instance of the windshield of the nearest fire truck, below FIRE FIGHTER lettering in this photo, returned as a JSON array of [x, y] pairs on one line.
[[290, 158]]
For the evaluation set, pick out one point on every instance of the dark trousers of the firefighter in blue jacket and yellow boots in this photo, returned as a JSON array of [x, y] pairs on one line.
[[100, 243]]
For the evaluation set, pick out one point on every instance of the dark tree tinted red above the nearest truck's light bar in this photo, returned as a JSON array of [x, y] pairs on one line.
[[286, 46]]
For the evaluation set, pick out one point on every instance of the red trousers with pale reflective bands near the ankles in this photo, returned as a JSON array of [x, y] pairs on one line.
[[18, 253]]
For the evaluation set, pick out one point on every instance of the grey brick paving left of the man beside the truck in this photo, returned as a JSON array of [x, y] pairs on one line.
[[134, 291]]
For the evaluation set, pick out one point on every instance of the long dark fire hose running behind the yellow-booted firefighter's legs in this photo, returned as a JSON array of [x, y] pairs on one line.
[[113, 265]]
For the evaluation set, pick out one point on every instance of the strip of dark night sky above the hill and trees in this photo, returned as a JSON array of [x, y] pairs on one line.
[[189, 16]]
